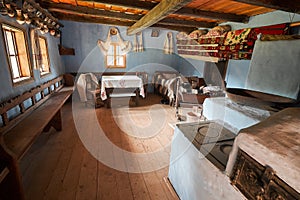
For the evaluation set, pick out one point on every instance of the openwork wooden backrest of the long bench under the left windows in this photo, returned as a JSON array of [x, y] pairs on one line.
[[23, 104]]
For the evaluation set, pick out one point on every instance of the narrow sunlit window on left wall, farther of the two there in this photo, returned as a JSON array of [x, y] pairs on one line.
[[44, 62]]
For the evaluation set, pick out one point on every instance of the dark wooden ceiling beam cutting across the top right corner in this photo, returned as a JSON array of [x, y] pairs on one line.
[[286, 5]]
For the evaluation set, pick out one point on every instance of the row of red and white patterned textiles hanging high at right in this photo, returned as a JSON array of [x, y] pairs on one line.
[[236, 44]]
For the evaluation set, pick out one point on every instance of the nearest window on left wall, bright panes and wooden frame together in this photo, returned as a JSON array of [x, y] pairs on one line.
[[17, 53]]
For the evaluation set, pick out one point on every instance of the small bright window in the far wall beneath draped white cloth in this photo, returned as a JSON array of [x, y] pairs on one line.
[[114, 57]]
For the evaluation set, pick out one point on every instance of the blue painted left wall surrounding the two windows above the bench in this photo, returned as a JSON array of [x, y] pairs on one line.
[[7, 90]]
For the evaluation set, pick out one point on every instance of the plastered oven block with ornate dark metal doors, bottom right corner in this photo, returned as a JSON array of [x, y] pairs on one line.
[[266, 161]]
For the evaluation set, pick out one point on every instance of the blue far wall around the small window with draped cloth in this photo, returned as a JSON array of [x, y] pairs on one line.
[[83, 38]]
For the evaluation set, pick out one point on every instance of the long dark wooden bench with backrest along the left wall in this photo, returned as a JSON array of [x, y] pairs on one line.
[[18, 134]]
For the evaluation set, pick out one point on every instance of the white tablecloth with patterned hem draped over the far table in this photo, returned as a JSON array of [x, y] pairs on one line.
[[126, 81]]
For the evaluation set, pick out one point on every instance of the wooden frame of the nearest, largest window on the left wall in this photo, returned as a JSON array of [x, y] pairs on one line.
[[22, 79]]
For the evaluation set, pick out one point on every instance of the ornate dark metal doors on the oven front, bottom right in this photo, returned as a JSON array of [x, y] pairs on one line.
[[259, 182]]
